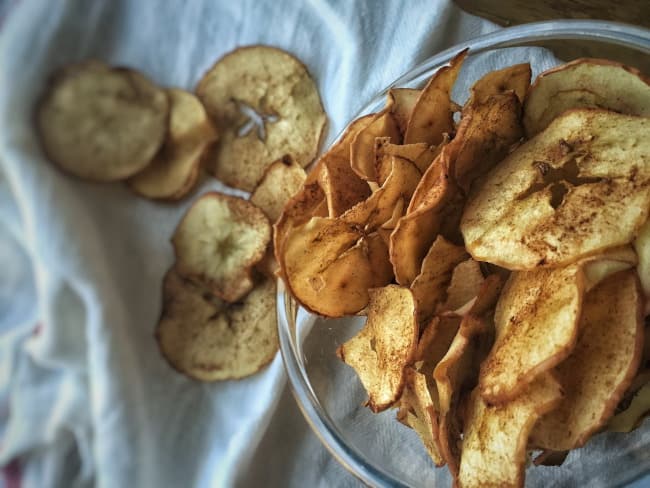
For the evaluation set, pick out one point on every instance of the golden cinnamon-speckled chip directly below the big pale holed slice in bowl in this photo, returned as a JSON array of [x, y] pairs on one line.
[[536, 322]]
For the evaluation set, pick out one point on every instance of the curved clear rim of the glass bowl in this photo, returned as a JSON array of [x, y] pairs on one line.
[[613, 33]]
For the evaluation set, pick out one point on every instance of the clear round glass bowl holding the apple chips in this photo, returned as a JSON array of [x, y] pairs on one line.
[[375, 447]]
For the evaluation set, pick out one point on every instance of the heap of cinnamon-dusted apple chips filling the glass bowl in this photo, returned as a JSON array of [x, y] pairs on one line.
[[502, 261]]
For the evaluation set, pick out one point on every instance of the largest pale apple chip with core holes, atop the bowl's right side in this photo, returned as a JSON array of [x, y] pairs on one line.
[[579, 187]]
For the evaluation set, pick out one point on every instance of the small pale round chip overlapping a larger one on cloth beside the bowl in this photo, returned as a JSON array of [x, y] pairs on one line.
[[218, 242]]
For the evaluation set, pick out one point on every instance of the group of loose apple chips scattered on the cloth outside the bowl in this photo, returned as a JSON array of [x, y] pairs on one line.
[[103, 123]]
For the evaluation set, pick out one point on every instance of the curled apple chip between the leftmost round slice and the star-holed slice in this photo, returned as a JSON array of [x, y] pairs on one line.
[[175, 169]]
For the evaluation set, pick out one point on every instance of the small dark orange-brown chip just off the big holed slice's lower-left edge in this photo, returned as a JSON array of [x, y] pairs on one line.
[[430, 286]]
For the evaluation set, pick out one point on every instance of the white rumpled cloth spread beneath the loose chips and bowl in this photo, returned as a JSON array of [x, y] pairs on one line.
[[85, 398]]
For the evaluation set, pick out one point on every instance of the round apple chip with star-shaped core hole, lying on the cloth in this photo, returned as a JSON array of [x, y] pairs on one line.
[[264, 83]]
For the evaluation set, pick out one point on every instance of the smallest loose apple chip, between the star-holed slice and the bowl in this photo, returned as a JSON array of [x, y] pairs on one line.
[[281, 180]]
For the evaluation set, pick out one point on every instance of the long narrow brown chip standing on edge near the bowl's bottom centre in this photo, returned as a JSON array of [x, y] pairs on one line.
[[456, 372]]
